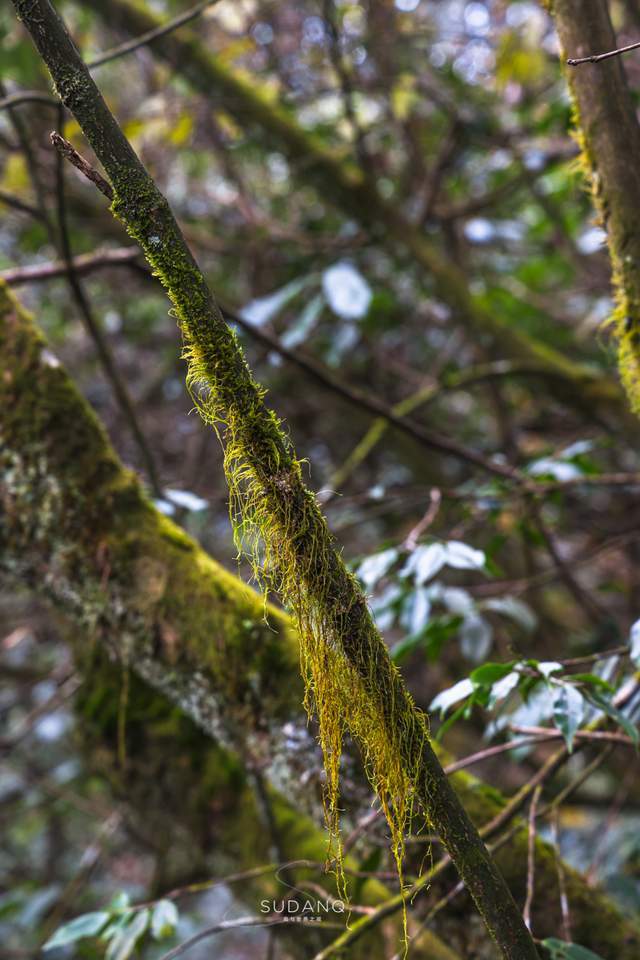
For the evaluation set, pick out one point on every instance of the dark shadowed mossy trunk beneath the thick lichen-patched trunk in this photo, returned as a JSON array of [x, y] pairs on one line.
[[171, 804]]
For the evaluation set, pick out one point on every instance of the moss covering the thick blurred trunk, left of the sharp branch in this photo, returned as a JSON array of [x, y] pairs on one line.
[[71, 512]]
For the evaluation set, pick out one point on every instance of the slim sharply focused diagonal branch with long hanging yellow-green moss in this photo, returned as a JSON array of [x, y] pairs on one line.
[[351, 681]]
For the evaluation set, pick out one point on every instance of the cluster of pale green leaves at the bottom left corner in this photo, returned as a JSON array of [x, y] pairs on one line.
[[121, 927]]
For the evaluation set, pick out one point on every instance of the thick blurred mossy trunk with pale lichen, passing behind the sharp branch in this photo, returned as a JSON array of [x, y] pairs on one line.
[[76, 527]]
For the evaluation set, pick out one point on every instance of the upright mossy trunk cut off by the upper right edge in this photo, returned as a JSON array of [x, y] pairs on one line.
[[609, 134]]
